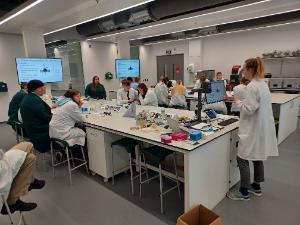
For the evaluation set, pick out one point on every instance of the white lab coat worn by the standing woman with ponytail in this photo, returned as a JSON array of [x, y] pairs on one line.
[[257, 128]]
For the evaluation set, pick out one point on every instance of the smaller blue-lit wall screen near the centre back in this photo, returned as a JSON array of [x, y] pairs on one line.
[[127, 68]]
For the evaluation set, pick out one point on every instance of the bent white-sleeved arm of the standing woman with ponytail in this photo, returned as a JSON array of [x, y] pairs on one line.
[[251, 102]]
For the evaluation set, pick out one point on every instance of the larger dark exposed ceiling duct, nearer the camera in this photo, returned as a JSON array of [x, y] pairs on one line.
[[153, 11]]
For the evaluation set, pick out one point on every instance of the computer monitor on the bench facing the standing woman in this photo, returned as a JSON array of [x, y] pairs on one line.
[[218, 92]]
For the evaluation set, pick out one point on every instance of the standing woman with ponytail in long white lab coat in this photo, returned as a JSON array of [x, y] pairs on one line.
[[256, 131]]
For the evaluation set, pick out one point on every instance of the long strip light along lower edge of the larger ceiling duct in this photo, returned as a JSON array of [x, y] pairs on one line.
[[178, 20]]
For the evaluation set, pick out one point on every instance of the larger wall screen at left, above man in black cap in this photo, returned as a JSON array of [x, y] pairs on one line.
[[46, 70]]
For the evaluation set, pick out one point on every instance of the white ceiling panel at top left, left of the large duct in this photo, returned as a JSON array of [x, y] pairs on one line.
[[51, 15]]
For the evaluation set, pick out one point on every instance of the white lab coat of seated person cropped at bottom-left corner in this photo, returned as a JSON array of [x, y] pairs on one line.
[[10, 164]]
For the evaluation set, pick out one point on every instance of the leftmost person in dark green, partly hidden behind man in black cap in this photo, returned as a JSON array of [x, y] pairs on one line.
[[15, 104]]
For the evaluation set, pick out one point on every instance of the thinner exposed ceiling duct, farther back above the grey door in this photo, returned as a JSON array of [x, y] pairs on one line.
[[225, 28]]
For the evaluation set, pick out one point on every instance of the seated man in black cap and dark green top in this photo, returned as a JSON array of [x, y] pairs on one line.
[[36, 115]]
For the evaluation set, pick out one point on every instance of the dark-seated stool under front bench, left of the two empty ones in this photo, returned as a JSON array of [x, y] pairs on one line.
[[130, 146]]
